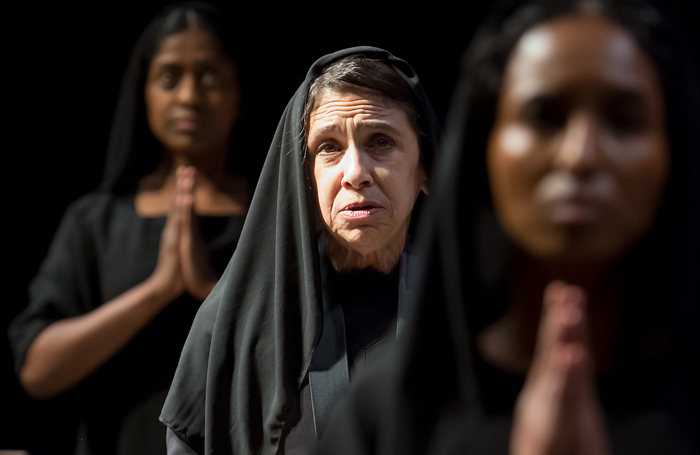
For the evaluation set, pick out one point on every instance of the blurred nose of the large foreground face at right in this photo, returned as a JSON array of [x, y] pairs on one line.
[[579, 149]]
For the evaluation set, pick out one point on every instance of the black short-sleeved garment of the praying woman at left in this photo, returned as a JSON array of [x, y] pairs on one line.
[[102, 249]]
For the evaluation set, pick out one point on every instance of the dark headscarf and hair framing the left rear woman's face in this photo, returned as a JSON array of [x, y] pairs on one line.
[[133, 151]]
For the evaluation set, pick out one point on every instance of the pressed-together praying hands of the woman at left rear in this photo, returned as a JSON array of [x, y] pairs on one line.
[[183, 259]]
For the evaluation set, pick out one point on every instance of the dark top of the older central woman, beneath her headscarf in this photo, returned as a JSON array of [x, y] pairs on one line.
[[373, 309]]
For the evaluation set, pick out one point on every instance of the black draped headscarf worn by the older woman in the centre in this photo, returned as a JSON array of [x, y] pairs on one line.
[[250, 346]]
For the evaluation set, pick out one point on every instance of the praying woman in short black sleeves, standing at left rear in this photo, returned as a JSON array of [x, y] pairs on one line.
[[113, 302]]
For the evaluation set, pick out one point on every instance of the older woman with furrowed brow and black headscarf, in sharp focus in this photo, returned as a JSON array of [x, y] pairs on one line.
[[322, 268]]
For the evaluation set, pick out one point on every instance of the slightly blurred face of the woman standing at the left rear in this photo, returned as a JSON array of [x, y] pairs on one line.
[[191, 93]]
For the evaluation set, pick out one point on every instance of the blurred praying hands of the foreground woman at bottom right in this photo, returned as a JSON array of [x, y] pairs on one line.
[[558, 410]]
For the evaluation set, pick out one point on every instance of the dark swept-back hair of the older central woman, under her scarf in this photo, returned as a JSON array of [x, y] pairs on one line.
[[357, 71]]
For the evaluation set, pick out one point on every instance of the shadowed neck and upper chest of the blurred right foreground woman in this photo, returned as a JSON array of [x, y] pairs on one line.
[[510, 341]]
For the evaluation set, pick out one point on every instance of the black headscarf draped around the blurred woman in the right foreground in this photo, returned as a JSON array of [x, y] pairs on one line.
[[430, 397]]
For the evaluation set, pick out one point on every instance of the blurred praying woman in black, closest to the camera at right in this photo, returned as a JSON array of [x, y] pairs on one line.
[[558, 310]]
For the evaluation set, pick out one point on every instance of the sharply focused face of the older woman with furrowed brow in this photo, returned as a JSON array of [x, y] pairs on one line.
[[365, 163]]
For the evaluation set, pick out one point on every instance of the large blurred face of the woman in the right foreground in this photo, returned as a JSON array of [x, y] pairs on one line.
[[578, 156]]
